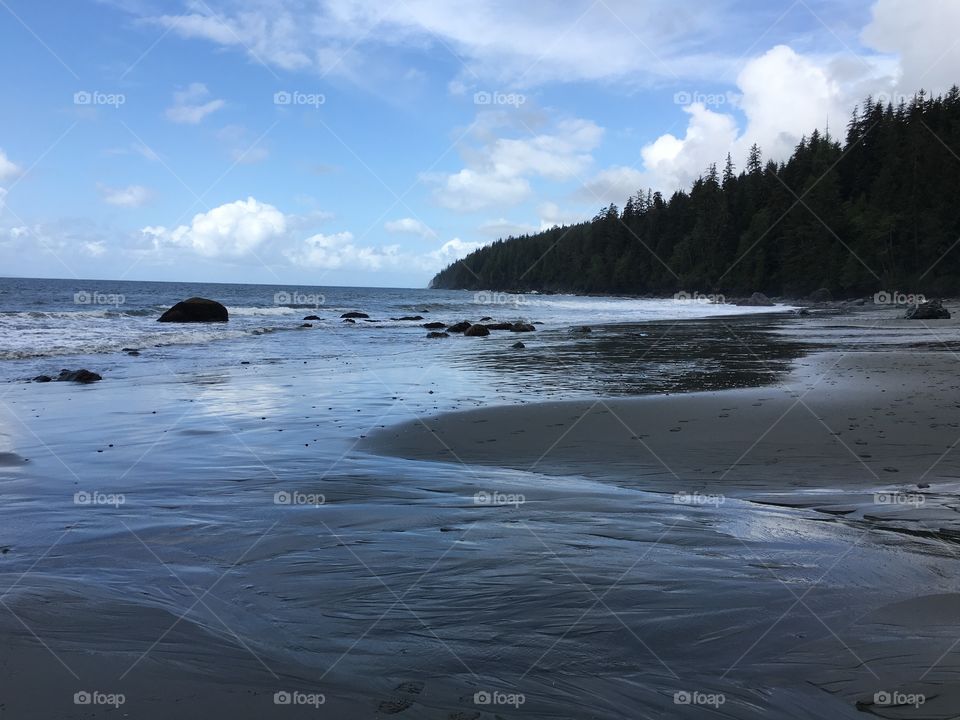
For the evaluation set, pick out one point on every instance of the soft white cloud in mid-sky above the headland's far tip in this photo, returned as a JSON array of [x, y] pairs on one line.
[[499, 174]]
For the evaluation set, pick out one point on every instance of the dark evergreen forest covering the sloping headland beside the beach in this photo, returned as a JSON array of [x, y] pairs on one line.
[[881, 210]]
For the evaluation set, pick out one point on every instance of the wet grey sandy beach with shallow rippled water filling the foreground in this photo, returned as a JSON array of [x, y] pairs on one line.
[[600, 558]]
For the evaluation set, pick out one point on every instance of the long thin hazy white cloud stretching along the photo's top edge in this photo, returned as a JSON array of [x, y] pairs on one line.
[[506, 42]]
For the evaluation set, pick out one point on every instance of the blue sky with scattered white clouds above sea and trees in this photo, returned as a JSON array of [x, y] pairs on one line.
[[351, 142]]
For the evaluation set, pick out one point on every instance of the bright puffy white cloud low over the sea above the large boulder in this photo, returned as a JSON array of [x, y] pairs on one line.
[[231, 230]]
